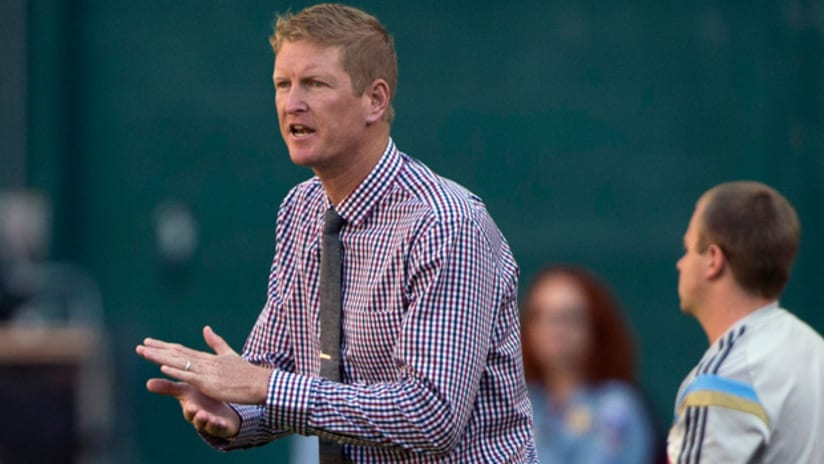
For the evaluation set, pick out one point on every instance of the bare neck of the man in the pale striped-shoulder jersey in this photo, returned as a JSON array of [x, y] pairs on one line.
[[726, 310]]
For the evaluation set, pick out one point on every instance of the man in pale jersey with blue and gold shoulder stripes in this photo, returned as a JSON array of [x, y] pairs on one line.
[[757, 395]]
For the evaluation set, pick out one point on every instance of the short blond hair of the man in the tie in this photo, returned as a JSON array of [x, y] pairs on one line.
[[367, 49]]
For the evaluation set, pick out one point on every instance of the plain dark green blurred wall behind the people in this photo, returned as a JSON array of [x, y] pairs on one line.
[[589, 127]]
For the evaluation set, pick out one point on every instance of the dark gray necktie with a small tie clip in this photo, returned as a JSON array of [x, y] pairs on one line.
[[330, 316]]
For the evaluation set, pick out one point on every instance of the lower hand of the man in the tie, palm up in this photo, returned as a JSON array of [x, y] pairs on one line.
[[206, 414]]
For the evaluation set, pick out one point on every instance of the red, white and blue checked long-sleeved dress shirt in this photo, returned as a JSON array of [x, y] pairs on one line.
[[431, 353]]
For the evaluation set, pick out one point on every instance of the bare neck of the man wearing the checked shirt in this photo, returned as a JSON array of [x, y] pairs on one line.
[[340, 181]]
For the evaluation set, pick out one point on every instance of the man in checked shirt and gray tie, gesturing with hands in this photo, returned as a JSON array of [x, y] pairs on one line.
[[427, 367]]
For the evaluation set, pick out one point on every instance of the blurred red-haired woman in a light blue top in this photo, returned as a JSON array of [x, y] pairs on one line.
[[579, 364]]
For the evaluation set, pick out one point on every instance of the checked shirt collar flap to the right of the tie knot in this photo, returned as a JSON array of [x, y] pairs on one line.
[[358, 204]]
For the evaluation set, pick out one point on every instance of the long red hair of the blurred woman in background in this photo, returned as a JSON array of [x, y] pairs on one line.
[[613, 353]]
